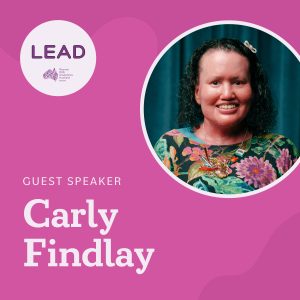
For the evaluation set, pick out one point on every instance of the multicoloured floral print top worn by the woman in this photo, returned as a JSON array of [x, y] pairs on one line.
[[223, 169]]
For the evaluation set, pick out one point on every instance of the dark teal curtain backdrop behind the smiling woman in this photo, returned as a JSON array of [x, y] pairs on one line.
[[280, 64]]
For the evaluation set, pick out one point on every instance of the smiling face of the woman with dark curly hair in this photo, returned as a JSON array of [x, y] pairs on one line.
[[223, 90]]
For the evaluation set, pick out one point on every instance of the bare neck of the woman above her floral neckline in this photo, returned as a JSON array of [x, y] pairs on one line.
[[217, 135]]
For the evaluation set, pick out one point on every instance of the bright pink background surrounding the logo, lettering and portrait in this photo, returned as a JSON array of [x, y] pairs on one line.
[[206, 248]]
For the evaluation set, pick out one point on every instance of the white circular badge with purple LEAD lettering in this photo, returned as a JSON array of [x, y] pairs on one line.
[[58, 58]]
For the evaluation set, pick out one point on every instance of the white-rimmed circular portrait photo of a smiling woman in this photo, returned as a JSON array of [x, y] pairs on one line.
[[220, 109]]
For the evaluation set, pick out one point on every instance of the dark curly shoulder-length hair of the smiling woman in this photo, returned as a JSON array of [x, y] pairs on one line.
[[261, 116]]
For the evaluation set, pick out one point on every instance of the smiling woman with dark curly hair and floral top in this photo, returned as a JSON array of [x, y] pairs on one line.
[[226, 111]]
